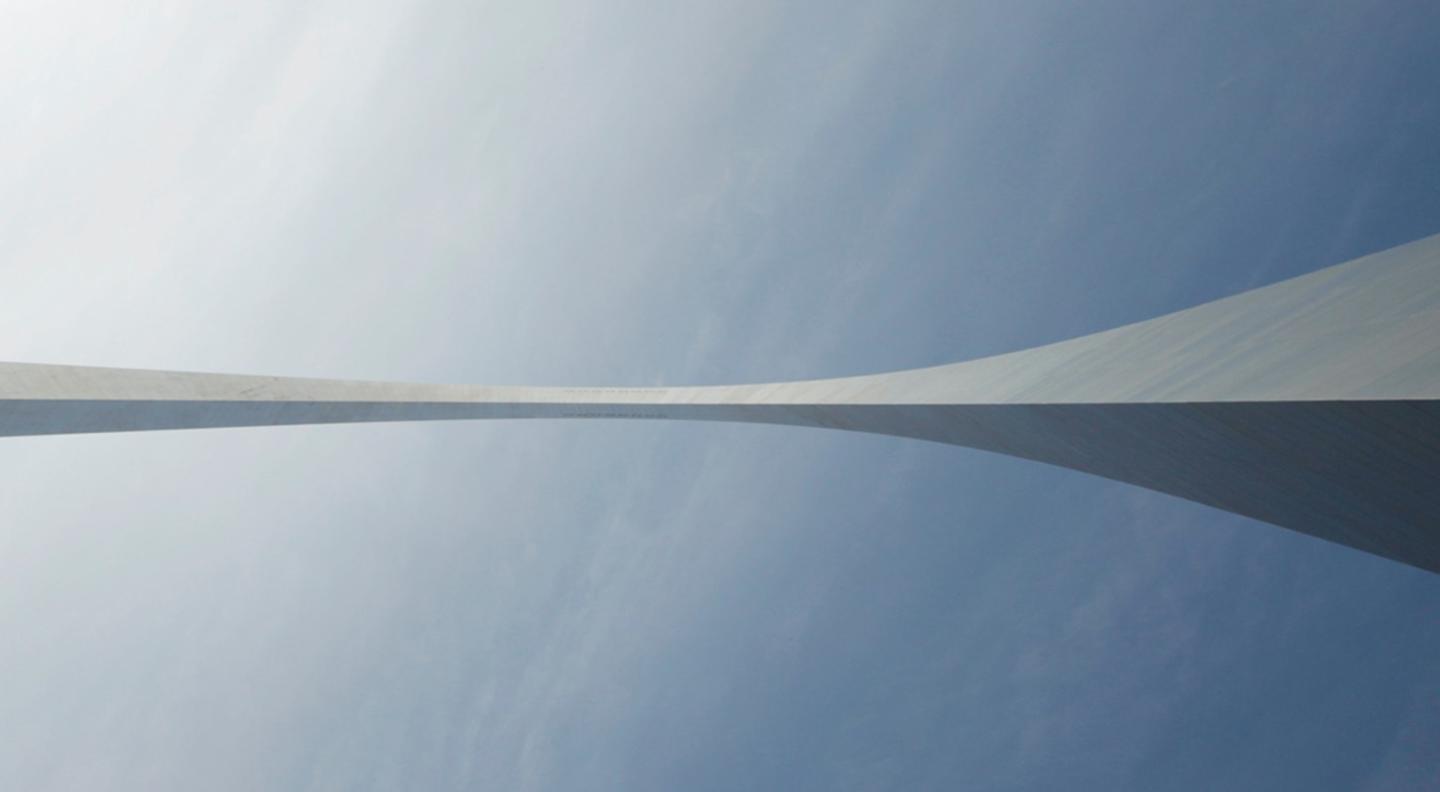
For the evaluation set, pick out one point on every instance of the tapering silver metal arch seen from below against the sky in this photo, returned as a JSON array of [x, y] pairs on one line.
[[1313, 404]]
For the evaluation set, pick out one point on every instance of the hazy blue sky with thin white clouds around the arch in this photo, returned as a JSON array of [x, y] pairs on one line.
[[548, 194]]
